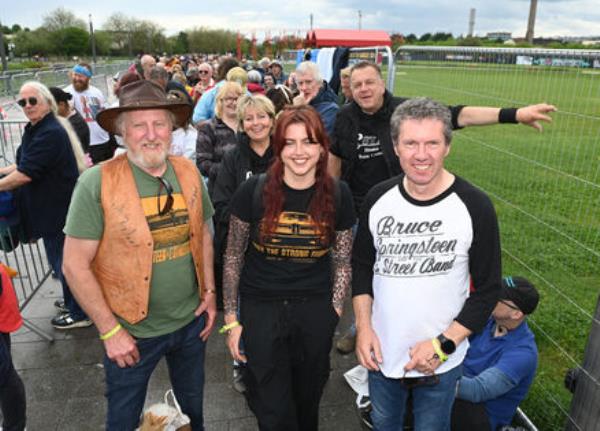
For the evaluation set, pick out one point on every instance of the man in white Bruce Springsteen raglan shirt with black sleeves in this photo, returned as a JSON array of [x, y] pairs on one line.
[[423, 238]]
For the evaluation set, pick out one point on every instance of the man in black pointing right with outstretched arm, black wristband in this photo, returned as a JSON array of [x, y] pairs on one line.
[[362, 153]]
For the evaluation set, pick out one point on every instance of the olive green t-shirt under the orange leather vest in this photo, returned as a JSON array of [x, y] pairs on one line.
[[174, 287]]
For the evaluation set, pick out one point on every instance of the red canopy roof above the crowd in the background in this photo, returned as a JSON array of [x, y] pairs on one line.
[[349, 38]]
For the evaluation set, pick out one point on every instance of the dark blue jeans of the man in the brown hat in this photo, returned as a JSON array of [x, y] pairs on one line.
[[126, 387]]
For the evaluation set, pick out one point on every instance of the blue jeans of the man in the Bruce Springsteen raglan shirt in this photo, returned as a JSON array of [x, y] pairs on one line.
[[432, 404]]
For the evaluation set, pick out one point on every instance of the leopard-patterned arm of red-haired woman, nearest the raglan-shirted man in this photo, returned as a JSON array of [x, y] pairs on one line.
[[342, 270]]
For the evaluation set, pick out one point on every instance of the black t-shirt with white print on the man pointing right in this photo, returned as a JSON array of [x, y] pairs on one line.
[[370, 167]]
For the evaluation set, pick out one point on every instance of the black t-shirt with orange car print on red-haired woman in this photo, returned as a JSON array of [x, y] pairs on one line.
[[294, 260]]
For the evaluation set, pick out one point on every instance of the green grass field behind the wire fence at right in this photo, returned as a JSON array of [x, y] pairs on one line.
[[546, 189]]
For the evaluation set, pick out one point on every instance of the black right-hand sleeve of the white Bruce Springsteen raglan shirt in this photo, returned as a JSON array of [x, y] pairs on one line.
[[484, 258]]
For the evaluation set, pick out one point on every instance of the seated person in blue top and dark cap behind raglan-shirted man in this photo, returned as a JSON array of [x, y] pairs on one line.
[[500, 363]]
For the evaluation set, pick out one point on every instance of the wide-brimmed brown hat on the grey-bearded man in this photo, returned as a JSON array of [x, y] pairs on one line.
[[141, 95]]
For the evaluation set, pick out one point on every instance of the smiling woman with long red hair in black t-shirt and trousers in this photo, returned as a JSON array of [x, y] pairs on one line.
[[288, 258]]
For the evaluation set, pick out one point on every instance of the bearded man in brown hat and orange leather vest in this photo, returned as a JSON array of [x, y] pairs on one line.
[[138, 256]]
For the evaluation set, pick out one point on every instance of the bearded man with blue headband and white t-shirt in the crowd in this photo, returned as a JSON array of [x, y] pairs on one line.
[[88, 101]]
